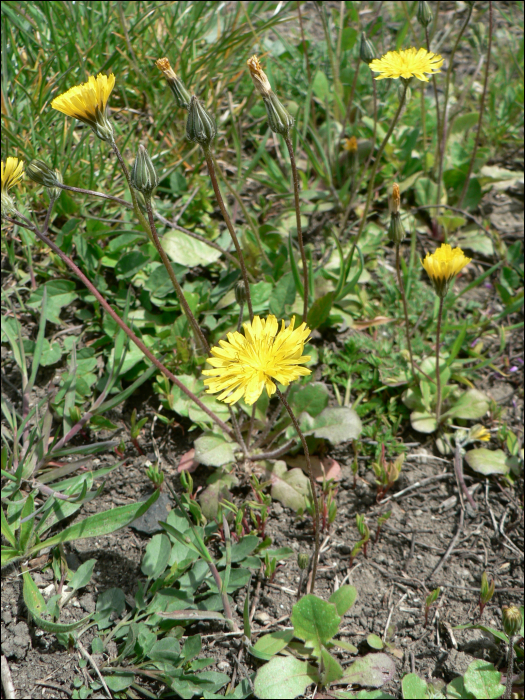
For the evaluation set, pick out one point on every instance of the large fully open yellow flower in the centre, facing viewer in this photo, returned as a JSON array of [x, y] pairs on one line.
[[245, 364]]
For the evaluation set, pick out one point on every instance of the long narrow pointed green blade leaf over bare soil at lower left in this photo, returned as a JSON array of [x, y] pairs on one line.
[[99, 524]]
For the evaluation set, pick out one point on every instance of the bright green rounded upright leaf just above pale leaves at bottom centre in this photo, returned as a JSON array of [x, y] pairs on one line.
[[315, 621]]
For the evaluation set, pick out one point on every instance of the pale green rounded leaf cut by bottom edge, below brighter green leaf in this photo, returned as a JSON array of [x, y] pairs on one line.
[[284, 677]]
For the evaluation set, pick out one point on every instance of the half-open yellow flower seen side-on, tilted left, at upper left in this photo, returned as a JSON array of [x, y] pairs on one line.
[[88, 104]]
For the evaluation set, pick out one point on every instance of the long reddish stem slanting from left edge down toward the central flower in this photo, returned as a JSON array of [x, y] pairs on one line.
[[131, 335]]
